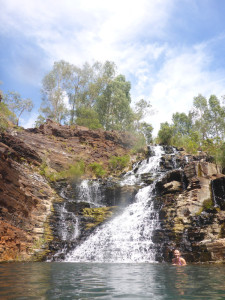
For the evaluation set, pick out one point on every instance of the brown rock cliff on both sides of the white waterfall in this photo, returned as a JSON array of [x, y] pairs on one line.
[[190, 194]]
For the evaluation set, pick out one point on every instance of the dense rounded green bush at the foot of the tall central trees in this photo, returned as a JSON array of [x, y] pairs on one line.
[[87, 117]]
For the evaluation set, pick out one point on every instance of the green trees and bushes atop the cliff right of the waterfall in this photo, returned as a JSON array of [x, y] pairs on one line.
[[202, 129]]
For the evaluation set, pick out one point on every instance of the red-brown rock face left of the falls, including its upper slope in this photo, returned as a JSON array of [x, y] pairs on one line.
[[26, 197]]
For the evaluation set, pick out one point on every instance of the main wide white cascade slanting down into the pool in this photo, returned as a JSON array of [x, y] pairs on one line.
[[126, 238]]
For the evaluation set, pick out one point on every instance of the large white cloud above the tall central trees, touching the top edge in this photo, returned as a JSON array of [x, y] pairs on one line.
[[85, 29]]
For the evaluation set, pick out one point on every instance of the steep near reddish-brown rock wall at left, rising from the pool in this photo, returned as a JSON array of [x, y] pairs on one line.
[[25, 204]]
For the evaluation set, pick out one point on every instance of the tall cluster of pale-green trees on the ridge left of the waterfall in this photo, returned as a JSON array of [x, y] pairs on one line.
[[97, 97]]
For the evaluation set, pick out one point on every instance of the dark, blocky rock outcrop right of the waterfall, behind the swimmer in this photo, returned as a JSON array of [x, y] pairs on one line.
[[192, 216]]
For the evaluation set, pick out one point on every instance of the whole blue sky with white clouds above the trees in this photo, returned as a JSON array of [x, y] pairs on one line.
[[170, 50]]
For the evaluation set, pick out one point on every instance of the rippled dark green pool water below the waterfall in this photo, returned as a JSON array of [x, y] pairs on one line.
[[111, 281]]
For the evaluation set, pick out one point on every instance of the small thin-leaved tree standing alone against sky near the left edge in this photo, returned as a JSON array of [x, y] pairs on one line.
[[17, 105]]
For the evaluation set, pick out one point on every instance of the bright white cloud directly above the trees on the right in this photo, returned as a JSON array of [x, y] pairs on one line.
[[182, 77]]
